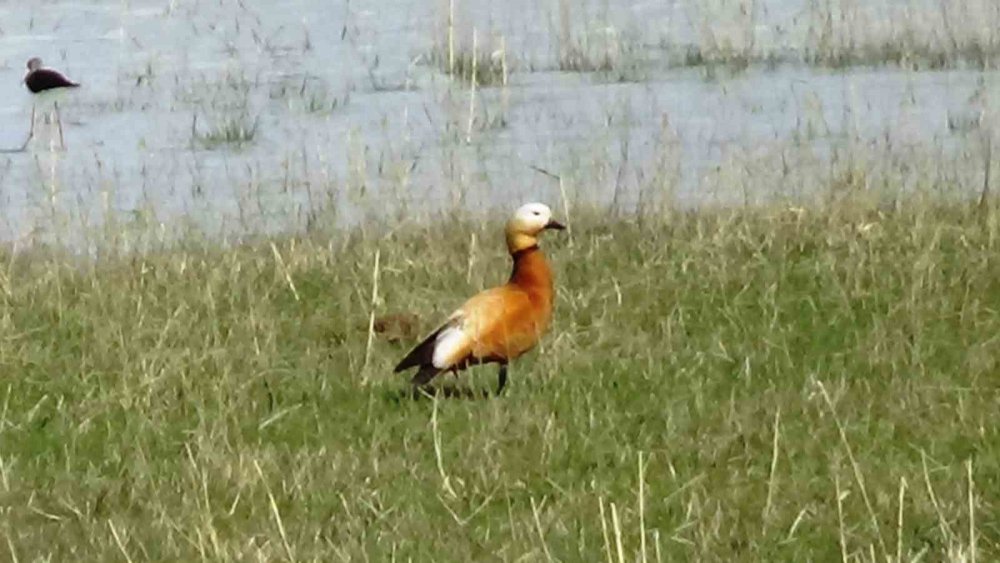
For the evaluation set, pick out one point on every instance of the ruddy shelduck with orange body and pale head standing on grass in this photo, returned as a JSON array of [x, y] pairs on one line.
[[499, 324]]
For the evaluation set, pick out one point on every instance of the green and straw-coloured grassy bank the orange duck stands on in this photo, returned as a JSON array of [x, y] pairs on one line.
[[212, 402]]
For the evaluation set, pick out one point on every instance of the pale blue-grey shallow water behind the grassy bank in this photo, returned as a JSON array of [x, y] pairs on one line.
[[351, 117]]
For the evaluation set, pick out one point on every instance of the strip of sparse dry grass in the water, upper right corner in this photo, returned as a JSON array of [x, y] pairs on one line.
[[842, 34]]
